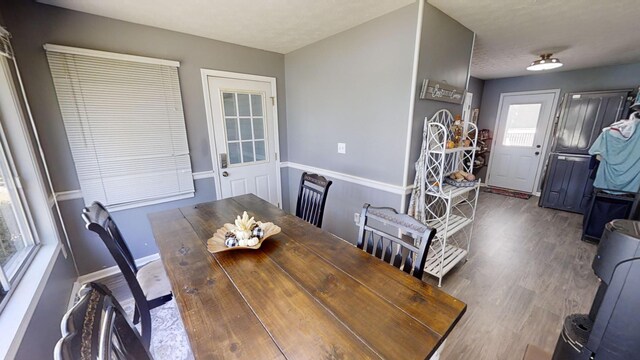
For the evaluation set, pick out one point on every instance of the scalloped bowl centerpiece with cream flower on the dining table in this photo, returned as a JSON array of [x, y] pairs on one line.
[[245, 233]]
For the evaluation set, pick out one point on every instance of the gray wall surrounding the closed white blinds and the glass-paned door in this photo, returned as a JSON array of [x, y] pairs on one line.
[[33, 25]]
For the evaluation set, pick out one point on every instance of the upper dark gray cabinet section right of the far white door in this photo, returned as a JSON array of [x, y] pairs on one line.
[[583, 116]]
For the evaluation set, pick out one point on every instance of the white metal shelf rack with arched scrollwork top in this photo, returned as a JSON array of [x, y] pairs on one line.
[[447, 208]]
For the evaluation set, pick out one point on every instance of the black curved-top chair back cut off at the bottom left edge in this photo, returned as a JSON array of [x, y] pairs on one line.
[[97, 328]]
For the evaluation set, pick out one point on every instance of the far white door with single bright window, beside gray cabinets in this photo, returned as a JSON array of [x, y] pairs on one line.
[[519, 139]]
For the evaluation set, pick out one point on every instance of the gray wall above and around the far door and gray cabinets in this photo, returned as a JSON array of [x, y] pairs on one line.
[[592, 79]]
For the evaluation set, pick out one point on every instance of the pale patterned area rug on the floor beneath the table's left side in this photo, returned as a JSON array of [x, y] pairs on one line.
[[168, 339]]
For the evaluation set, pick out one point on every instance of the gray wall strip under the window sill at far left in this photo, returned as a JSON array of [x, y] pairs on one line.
[[43, 330]]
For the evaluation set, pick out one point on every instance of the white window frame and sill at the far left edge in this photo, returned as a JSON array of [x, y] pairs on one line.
[[38, 199]]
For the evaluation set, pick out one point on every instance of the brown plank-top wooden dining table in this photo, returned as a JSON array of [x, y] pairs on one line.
[[304, 294]]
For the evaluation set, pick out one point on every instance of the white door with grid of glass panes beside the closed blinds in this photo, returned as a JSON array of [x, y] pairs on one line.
[[244, 130]]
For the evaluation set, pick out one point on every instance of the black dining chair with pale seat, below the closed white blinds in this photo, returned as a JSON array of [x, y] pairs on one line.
[[149, 284]]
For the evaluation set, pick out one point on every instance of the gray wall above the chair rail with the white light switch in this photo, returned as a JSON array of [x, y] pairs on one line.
[[353, 87]]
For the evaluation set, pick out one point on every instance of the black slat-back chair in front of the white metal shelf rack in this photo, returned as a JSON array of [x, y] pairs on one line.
[[407, 252]]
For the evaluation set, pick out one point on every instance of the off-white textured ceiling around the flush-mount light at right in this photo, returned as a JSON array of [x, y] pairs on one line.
[[581, 33]]
